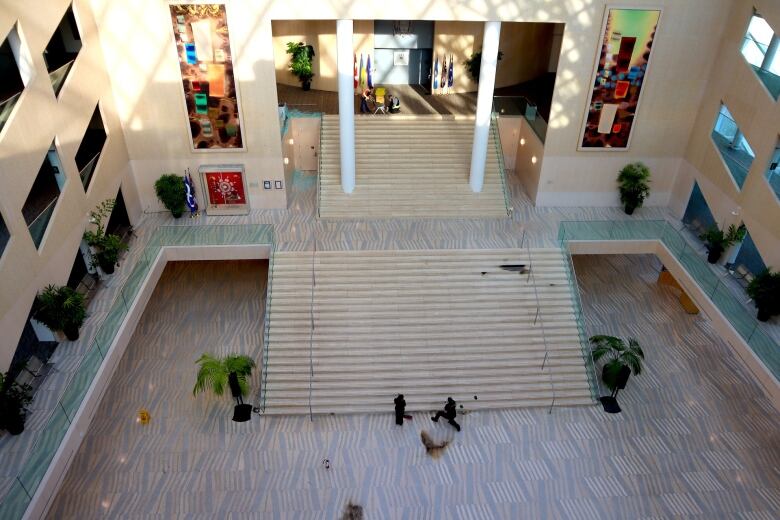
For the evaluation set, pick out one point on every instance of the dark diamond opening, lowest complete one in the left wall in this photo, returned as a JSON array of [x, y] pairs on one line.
[[45, 192]]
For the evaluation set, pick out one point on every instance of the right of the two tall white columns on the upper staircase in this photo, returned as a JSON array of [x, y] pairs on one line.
[[487, 80]]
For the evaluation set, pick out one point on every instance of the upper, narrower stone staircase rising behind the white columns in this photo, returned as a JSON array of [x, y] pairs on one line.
[[409, 166]]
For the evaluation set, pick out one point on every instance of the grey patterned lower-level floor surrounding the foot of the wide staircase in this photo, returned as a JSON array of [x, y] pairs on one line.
[[696, 439]]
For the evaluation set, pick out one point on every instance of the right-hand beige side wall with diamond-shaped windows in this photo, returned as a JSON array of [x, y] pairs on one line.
[[758, 116]]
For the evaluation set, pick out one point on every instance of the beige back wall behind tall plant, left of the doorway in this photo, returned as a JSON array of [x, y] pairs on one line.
[[321, 34]]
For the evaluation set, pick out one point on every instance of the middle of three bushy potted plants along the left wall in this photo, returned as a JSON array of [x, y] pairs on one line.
[[61, 308]]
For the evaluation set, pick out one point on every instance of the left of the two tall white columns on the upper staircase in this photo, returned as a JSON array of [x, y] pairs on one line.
[[344, 61]]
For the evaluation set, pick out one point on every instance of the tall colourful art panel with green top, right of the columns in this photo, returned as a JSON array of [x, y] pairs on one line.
[[620, 73]]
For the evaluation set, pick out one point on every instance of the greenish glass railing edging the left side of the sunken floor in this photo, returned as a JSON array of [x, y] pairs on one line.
[[26, 482]]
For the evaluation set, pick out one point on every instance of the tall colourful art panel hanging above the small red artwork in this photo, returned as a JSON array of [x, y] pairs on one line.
[[203, 45]]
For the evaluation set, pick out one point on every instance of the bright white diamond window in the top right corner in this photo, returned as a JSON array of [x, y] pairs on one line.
[[761, 49]]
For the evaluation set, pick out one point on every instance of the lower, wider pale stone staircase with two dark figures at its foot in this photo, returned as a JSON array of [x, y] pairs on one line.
[[428, 324]]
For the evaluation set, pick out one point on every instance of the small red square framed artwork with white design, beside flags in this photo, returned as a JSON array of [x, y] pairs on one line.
[[224, 187]]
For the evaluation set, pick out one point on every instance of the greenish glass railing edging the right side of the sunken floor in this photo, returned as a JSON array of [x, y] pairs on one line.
[[741, 318]]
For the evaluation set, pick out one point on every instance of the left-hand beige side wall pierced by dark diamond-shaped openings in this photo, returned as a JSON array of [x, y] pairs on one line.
[[39, 119]]
